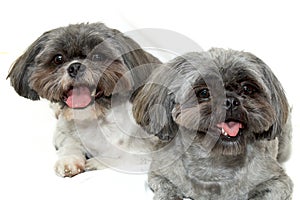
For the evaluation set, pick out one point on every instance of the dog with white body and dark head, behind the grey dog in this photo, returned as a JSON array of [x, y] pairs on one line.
[[77, 68]]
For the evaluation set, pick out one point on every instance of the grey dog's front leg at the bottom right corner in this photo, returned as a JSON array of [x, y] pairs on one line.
[[277, 188]]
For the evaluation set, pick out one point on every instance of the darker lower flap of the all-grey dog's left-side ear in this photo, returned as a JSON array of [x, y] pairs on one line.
[[152, 110]]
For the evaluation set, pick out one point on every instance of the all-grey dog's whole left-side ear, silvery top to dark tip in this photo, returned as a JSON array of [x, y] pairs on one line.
[[154, 103]]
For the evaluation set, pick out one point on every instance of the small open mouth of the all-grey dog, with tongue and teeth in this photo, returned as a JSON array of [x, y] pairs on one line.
[[230, 129]]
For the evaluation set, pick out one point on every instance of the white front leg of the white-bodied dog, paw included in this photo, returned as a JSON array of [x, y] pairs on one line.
[[71, 154]]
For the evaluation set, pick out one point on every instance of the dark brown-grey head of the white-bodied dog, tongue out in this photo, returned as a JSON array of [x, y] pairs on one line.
[[76, 65]]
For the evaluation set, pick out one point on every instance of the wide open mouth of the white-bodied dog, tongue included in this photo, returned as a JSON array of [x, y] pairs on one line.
[[81, 96]]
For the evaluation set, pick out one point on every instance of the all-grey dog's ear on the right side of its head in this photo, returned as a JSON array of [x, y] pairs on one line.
[[278, 99]]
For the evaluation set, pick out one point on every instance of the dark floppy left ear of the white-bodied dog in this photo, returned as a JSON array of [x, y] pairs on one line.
[[22, 69]]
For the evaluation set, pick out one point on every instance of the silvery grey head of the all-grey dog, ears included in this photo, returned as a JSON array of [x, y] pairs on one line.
[[231, 98]]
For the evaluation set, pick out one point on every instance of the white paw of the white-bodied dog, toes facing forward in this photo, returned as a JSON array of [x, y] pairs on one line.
[[69, 166]]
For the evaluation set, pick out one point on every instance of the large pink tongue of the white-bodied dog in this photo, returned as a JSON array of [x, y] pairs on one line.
[[79, 97]]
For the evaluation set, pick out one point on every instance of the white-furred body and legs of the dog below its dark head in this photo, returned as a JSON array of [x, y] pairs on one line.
[[113, 141]]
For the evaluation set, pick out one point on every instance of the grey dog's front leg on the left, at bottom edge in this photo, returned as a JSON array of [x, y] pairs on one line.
[[163, 189]]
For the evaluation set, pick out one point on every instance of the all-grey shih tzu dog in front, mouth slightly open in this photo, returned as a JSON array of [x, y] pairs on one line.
[[223, 122]]
